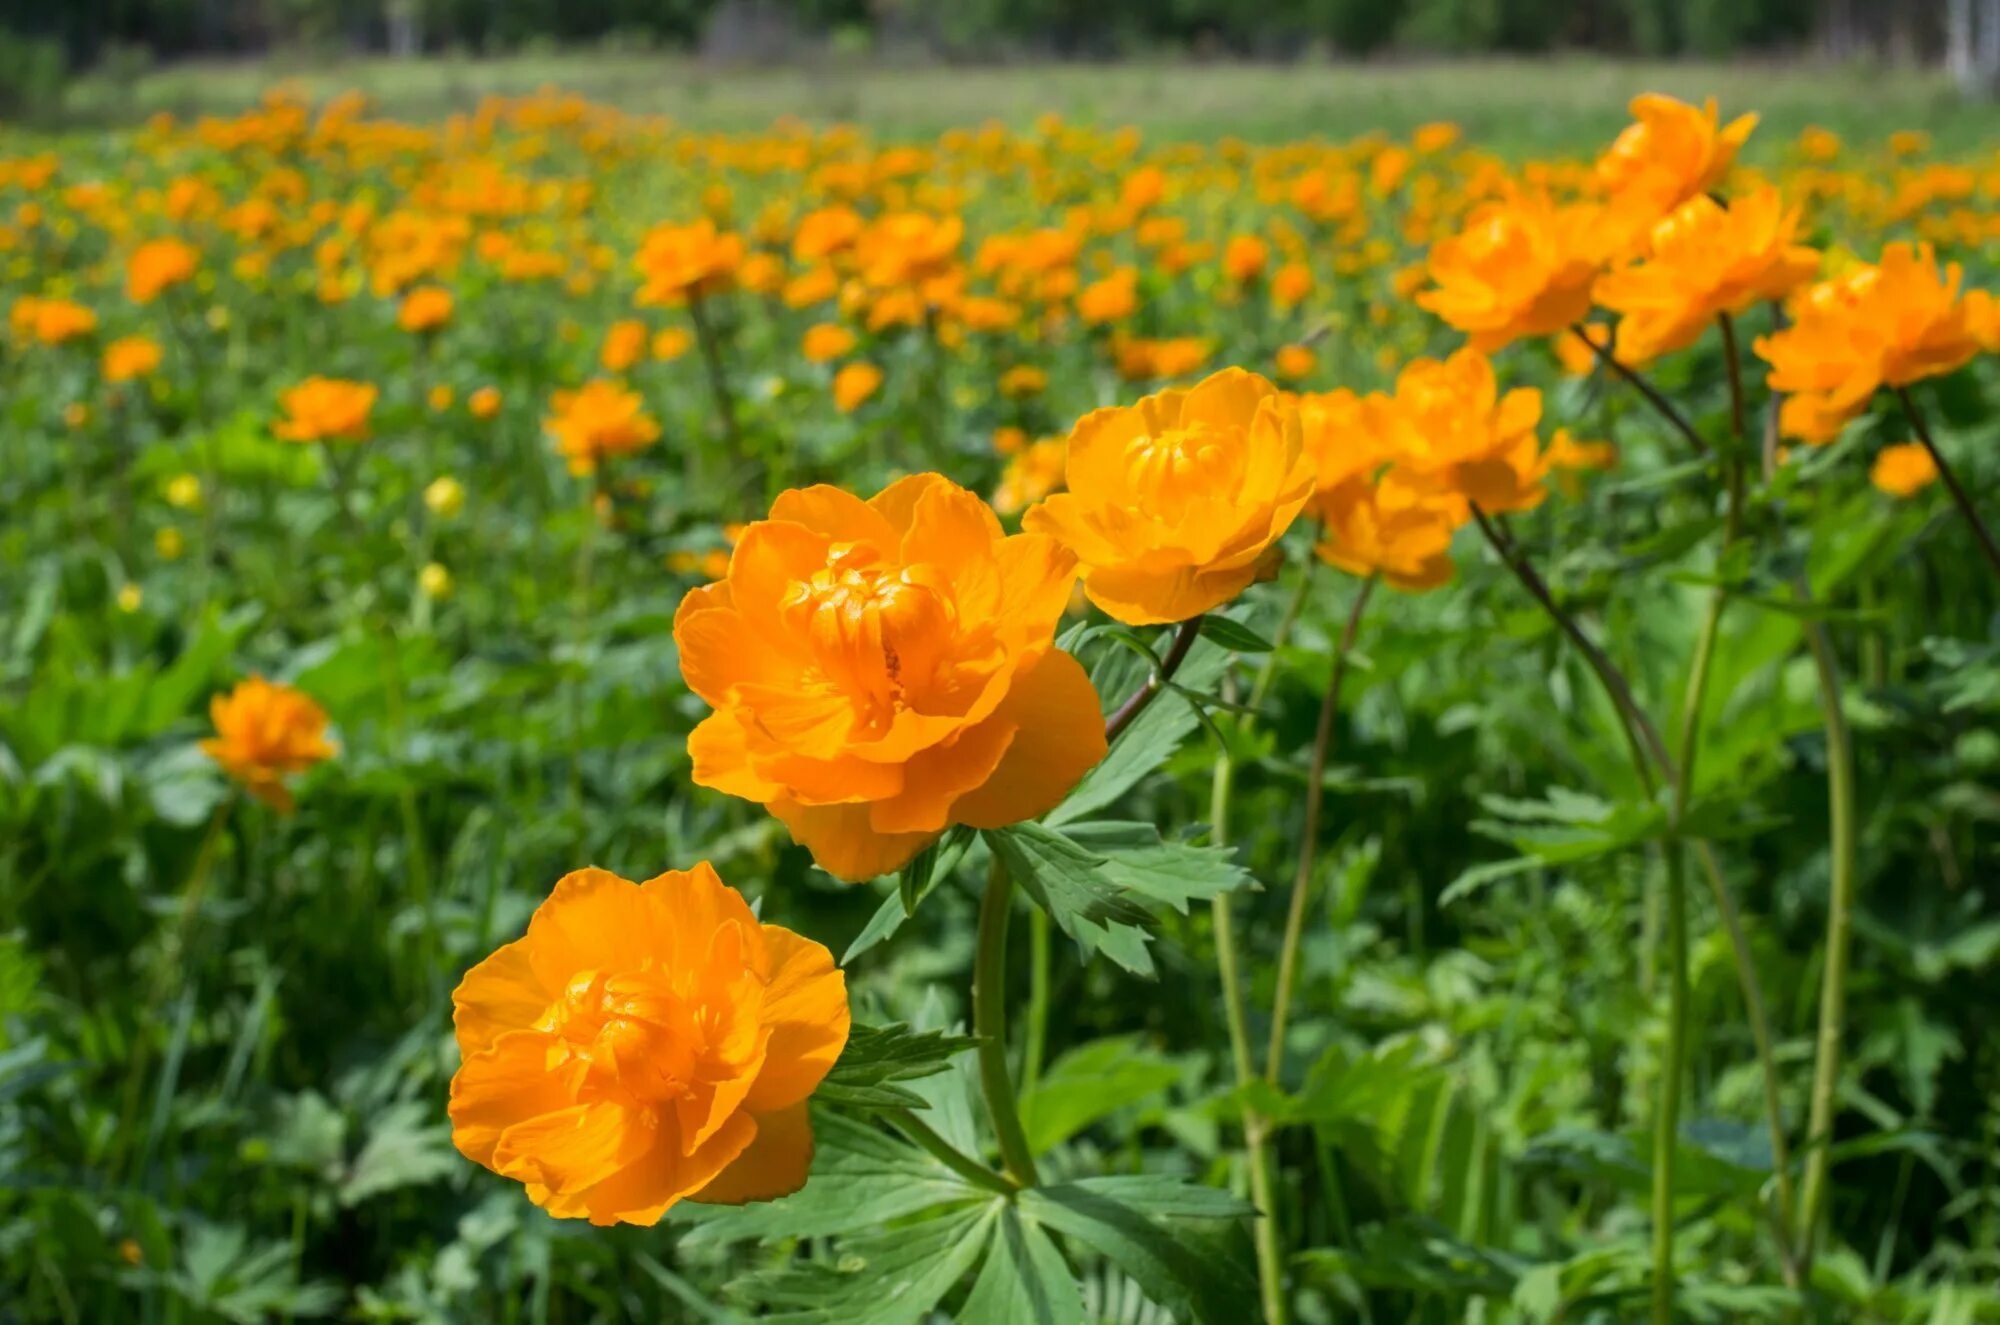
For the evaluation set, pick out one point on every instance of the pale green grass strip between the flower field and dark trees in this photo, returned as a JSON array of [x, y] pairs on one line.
[[1505, 103]]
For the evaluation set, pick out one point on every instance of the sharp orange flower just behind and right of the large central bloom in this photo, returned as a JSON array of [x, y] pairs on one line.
[[1173, 501]]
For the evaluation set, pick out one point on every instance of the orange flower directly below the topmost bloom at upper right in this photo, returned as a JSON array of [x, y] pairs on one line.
[[1705, 261]]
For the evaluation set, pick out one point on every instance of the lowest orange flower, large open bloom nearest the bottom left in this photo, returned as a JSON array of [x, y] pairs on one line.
[[645, 1044]]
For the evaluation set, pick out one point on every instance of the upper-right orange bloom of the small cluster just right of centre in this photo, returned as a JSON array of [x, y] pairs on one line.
[[1453, 431]]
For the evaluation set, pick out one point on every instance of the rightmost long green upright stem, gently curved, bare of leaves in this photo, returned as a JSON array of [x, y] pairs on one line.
[[1839, 918]]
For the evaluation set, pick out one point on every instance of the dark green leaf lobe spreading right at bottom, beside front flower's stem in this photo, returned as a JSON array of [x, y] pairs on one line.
[[1131, 1224]]
